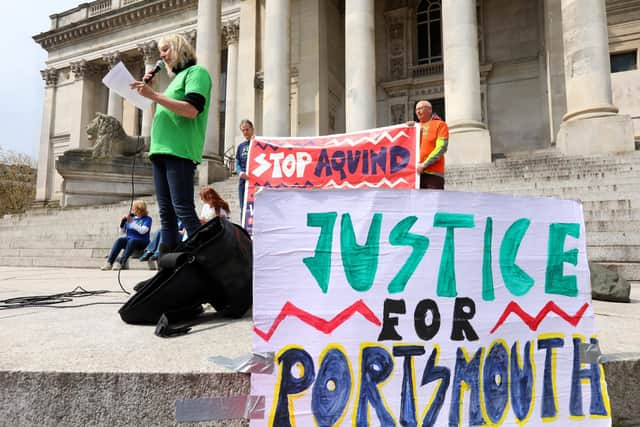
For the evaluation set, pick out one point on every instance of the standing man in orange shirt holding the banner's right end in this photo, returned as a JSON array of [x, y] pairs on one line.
[[434, 139]]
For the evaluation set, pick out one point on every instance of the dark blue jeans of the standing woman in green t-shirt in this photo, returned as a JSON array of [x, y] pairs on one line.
[[173, 182]]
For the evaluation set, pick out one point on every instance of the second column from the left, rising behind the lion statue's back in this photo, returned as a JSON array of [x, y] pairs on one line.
[[81, 108]]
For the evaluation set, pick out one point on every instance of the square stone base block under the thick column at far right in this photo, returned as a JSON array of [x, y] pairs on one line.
[[596, 135]]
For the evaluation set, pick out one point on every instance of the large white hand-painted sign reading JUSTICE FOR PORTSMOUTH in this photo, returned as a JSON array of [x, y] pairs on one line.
[[421, 308]]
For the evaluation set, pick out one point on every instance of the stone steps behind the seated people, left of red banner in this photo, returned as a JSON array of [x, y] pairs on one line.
[[80, 237]]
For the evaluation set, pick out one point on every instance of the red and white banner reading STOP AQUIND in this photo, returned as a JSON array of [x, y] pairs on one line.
[[375, 158]]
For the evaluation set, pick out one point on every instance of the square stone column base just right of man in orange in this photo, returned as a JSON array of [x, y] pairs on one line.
[[468, 144]]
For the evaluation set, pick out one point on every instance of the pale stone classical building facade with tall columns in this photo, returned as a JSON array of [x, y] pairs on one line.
[[507, 75]]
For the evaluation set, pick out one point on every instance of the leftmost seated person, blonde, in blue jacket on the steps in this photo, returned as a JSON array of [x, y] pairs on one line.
[[136, 228]]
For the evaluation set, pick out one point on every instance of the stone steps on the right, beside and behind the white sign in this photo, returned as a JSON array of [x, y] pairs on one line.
[[607, 185]]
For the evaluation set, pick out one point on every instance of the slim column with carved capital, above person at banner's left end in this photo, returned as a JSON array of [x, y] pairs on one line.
[[231, 32]]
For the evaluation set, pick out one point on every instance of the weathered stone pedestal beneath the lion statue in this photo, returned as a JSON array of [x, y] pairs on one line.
[[88, 181]]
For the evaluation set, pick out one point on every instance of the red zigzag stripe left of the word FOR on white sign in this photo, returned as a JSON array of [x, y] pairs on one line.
[[322, 325]]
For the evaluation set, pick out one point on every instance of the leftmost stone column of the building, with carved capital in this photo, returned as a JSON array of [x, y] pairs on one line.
[[44, 183]]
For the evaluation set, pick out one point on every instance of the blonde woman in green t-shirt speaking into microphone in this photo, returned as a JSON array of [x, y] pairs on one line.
[[177, 135]]
